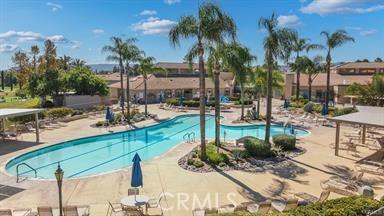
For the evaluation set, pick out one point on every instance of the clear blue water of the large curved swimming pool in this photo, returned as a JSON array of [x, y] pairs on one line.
[[99, 154]]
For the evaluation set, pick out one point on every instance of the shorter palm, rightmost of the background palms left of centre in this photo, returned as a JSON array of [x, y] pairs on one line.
[[146, 65]]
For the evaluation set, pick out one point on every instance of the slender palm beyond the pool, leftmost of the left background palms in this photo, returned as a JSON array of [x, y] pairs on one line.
[[115, 51]]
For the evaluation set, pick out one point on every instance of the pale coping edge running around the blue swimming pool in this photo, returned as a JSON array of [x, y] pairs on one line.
[[4, 165]]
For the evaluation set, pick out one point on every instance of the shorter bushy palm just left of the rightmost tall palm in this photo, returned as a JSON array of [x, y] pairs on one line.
[[311, 67]]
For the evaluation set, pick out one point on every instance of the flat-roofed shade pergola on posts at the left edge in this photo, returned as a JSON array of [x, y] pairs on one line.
[[7, 113]]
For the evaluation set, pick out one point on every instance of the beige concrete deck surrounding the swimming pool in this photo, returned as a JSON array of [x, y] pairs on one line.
[[302, 174]]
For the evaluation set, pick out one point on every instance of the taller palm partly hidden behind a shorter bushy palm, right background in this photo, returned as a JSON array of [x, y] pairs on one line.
[[299, 45]]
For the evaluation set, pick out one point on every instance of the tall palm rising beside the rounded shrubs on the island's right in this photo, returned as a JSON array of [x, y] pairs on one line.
[[273, 48]]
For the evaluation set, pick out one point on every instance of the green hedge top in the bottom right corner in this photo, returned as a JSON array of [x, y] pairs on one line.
[[348, 206]]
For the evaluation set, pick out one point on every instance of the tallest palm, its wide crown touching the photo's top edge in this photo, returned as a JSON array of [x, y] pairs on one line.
[[210, 26]]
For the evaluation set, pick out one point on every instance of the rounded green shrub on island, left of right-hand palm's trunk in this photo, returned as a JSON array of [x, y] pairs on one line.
[[257, 148]]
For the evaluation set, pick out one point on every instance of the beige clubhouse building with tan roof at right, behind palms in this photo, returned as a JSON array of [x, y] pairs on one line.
[[341, 77]]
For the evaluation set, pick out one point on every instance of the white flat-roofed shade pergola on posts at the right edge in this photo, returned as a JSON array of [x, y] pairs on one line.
[[367, 116]]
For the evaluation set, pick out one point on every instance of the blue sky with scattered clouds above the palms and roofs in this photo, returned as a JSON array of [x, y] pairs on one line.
[[81, 28]]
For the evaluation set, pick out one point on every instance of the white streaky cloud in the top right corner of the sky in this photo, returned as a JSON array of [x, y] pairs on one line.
[[325, 7]]
